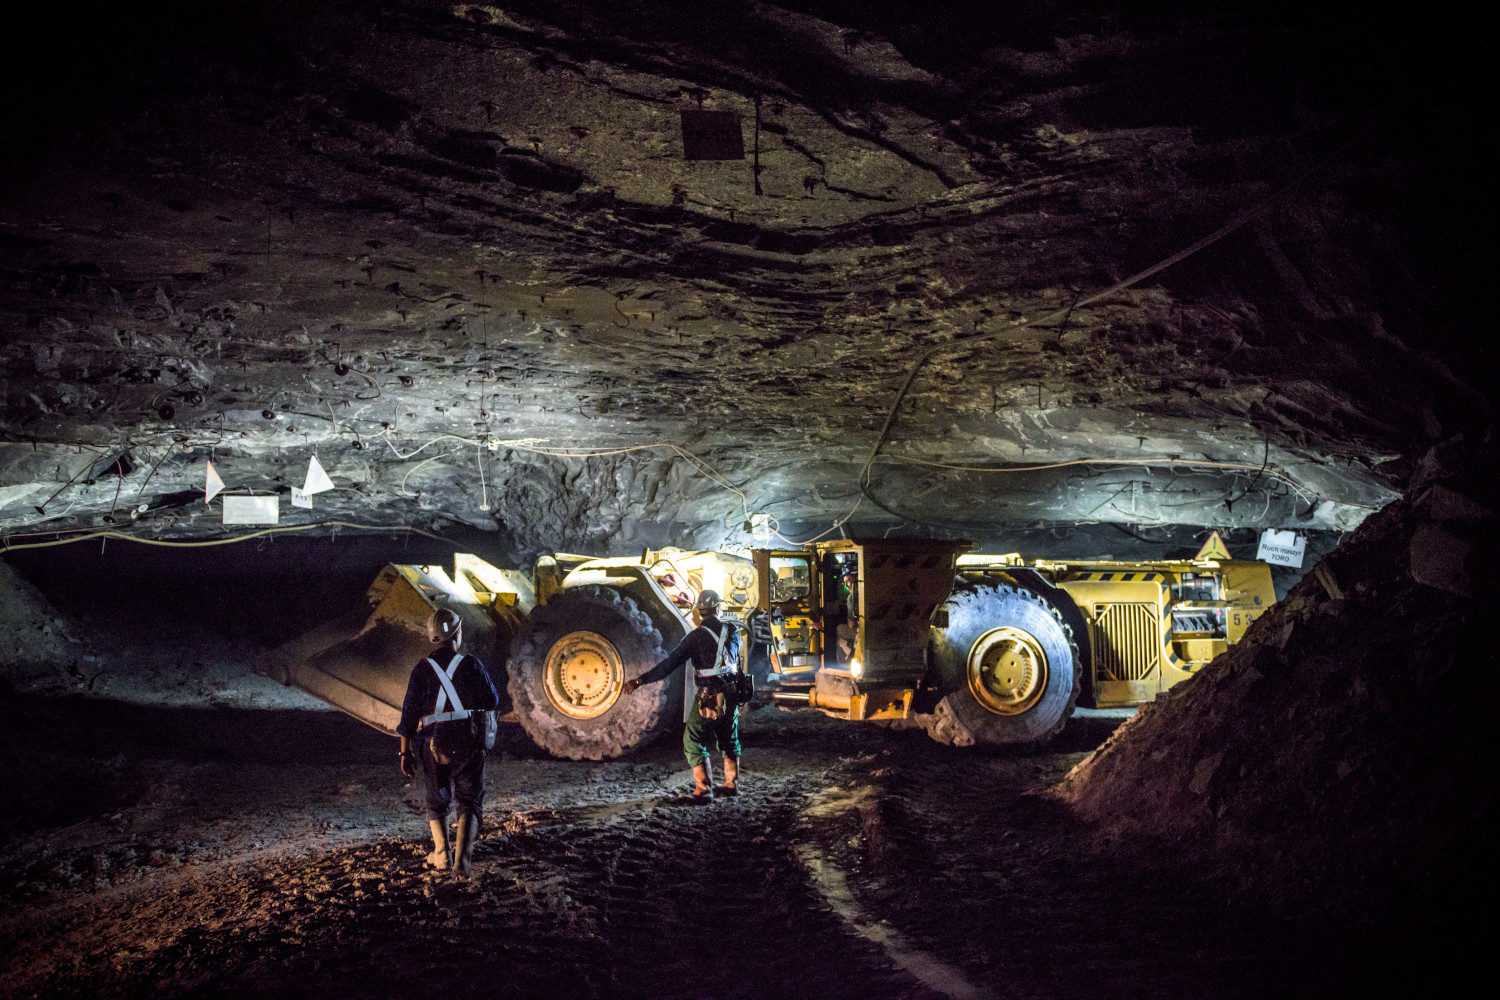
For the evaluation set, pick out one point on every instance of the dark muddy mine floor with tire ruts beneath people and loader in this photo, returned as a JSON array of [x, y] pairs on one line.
[[172, 852]]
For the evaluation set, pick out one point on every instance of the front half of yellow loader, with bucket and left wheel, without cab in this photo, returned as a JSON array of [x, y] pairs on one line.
[[562, 641]]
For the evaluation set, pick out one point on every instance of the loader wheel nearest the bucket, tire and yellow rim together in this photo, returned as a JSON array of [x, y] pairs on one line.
[[569, 668]]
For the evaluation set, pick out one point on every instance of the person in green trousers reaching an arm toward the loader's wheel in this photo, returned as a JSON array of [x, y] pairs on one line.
[[715, 717]]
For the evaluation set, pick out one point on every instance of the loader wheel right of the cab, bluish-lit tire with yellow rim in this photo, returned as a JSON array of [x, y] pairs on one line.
[[1030, 639]]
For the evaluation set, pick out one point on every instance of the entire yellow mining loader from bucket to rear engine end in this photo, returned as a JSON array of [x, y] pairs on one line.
[[976, 648]]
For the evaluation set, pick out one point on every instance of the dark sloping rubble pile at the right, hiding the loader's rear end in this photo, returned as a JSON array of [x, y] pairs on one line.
[[1339, 764]]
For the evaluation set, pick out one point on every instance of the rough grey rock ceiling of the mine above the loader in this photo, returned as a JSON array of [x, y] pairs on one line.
[[431, 244]]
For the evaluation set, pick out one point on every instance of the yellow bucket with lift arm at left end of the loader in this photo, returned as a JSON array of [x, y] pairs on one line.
[[361, 663]]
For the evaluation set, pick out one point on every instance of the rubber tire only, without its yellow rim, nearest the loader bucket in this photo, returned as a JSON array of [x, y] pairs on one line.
[[632, 719]]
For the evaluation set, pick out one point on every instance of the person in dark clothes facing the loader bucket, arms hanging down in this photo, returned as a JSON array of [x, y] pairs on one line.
[[448, 722]]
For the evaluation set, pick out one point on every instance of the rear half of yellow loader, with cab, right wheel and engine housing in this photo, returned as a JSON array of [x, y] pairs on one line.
[[991, 650]]
